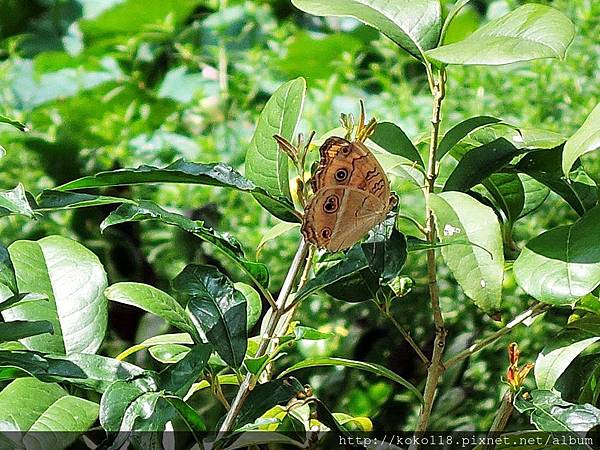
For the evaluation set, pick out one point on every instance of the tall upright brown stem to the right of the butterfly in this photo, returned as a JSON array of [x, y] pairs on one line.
[[436, 367]]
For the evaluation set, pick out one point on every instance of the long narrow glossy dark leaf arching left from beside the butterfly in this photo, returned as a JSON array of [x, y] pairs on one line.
[[182, 171]]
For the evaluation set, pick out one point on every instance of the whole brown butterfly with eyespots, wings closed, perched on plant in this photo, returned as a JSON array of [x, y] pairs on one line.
[[352, 195]]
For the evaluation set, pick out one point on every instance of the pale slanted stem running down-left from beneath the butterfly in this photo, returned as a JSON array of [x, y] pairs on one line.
[[272, 322]]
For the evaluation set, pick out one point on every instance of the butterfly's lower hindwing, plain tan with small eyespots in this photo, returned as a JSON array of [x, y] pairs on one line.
[[337, 217]]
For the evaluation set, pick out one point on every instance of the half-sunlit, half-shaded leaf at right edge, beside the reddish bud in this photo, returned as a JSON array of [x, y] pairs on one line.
[[554, 359]]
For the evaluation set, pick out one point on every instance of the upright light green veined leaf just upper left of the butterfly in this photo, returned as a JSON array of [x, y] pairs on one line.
[[266, 165]]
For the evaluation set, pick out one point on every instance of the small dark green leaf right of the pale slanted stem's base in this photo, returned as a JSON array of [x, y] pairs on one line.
[[264, 396]]
